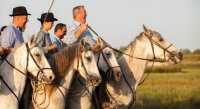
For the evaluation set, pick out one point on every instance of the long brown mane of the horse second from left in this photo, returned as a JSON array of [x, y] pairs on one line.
[[61, 62]]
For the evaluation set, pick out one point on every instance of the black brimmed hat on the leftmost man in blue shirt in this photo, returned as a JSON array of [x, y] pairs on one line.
[[19, 11]]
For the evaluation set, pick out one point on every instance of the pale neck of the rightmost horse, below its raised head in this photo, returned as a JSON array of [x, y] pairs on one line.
[[134, 67]]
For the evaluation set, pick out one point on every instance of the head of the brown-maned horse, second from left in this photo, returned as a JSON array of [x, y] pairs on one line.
[[87, 66]]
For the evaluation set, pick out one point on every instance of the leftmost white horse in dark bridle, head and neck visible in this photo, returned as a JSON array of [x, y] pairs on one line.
[[25, 58]]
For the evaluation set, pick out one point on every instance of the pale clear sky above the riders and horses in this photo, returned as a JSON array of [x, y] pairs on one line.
[[120, 21]]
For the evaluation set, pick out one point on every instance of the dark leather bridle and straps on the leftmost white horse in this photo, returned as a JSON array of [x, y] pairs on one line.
[[29, 54]]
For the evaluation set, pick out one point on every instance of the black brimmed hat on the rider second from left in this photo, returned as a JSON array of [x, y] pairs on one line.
[[50, 17]]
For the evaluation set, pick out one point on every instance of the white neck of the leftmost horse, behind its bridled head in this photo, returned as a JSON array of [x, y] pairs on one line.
[[15, 80]]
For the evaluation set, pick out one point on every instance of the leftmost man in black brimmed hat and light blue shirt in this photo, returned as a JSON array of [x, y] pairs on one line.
[[12, 35]]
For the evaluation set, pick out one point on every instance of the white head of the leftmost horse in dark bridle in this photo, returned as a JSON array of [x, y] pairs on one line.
[[37, 63]]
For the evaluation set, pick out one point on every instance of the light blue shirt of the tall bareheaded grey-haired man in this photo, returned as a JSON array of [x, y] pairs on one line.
[[70, 37]]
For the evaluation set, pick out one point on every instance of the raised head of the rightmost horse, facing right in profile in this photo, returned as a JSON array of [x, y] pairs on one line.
[[159, 49]]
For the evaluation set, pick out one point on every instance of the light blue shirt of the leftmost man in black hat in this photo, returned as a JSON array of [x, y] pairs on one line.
[[11, 37]]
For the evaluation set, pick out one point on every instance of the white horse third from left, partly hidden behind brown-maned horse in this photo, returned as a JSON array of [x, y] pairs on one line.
[[107, 63]]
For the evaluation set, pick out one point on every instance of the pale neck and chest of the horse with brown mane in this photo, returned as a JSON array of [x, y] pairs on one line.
[[45, 100]]
